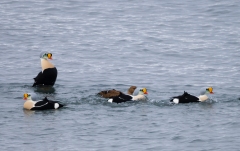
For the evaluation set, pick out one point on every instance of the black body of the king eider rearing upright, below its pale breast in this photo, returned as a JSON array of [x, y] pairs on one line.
[[47, 77]]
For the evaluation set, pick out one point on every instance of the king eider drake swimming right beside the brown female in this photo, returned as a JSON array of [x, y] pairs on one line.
[[124, 98]]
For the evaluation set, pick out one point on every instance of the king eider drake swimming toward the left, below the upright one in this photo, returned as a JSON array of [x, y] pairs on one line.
[[39, 105]]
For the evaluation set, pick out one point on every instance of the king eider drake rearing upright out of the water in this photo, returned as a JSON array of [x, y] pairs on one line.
[[48, 75]]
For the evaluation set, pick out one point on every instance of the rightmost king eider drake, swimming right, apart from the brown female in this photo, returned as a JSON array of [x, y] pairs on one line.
[[187, 98]]
